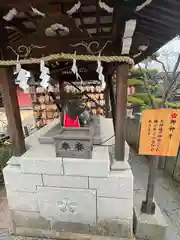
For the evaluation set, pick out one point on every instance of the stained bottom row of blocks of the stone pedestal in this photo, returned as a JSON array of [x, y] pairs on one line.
[[29, 223]]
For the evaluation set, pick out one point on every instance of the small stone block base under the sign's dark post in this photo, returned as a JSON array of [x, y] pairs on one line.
[[153, 227]]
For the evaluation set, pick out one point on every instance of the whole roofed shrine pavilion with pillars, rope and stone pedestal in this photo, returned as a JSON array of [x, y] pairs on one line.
[[63, 181]]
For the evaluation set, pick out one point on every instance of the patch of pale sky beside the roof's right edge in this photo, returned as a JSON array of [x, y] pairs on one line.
[[168, 55]]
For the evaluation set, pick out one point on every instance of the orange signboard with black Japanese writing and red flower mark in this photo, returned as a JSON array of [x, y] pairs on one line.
[[160, 132]]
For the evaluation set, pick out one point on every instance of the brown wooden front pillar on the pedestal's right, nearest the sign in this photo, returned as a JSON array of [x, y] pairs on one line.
[[121, 104]]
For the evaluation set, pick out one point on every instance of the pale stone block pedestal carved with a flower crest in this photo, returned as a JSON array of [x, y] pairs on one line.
[[51, 196]]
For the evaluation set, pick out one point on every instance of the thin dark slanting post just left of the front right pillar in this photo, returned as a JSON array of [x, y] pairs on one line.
[[112, 100]]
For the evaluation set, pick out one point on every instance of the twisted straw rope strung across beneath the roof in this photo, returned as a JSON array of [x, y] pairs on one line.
[[67, 56]]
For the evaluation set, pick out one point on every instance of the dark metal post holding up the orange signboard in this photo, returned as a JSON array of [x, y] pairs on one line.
[[148, 206]]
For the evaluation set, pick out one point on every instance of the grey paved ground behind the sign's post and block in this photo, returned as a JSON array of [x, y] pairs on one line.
[[167, 193]]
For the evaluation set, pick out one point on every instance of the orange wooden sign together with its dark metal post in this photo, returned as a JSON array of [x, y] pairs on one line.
[[160, 136]]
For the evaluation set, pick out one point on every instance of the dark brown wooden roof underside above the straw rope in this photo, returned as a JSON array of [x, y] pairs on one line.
[[156, 23]]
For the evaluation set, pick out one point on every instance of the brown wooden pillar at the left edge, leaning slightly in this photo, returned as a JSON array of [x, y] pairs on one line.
[[12, 111]]
